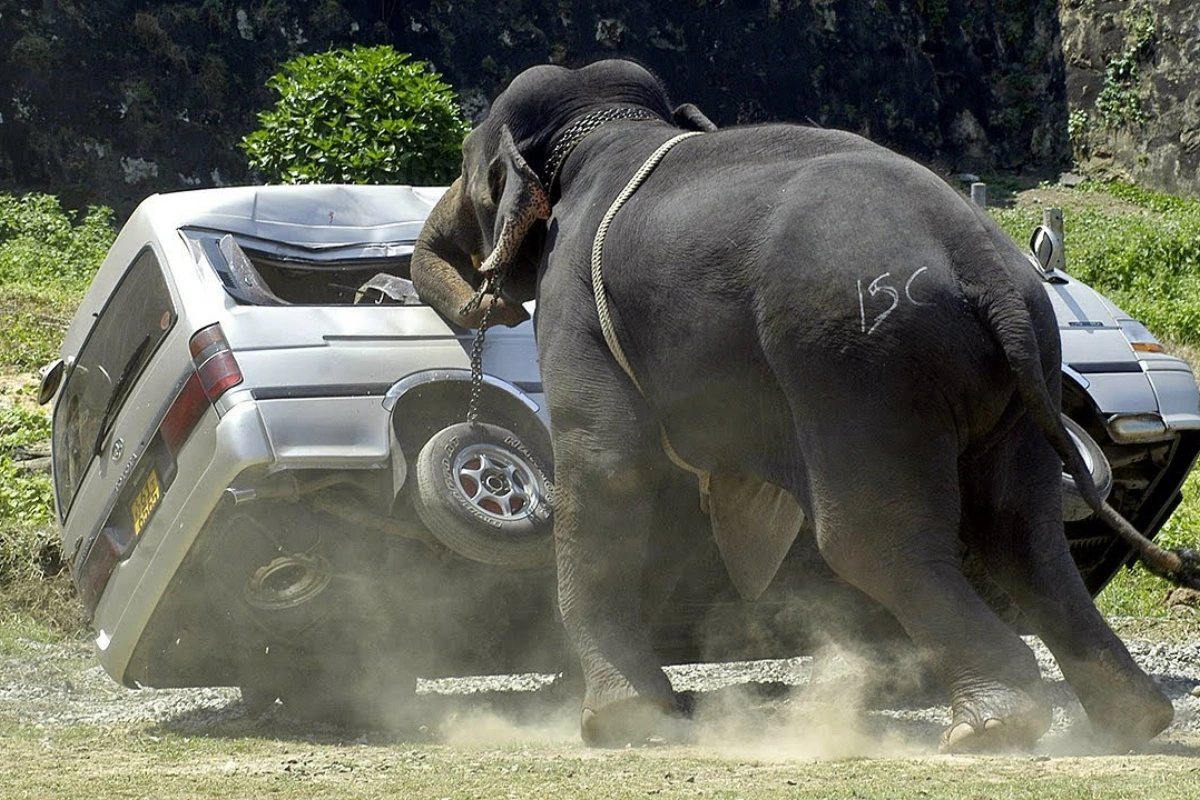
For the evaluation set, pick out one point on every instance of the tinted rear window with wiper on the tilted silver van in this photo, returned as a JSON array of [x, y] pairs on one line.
[[135, 321]]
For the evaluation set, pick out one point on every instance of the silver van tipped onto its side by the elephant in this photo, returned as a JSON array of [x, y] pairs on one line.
[[266, 476]]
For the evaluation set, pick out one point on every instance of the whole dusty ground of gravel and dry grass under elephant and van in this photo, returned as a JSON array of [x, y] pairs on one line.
[[763, 730]]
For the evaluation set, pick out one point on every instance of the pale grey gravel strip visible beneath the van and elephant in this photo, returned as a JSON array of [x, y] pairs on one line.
[[62, 684]]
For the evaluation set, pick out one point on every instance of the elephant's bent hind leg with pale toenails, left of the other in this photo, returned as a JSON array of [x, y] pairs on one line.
[[890, 525]]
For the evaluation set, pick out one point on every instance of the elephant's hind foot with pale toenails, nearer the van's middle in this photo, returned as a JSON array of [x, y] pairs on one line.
[[997, 721]]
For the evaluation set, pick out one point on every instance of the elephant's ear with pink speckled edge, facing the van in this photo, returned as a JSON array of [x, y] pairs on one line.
[[521, 201]]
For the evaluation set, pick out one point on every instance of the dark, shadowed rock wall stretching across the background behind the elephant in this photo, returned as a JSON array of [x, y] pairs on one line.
[[107, 101]]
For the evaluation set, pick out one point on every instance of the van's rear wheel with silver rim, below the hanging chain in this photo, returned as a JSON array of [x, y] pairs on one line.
[[485, 495]]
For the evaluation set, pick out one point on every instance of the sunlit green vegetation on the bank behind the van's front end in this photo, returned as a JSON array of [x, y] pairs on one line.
[[1147, 260]]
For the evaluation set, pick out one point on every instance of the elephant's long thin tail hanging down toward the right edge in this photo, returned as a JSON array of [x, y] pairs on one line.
[[1004, 312]]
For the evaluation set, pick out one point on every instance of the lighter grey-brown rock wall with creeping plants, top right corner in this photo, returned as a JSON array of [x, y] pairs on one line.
[[1133, 80]]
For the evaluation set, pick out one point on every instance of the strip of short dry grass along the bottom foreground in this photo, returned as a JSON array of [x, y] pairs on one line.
[[83, 762]]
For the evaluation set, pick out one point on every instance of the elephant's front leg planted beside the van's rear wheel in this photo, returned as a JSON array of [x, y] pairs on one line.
[[604, 506]]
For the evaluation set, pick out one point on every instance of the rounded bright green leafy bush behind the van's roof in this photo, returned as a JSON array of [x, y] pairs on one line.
[[363, 116]]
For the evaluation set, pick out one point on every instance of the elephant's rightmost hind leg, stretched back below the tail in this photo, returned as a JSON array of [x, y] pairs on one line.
[[1017, 526]]
